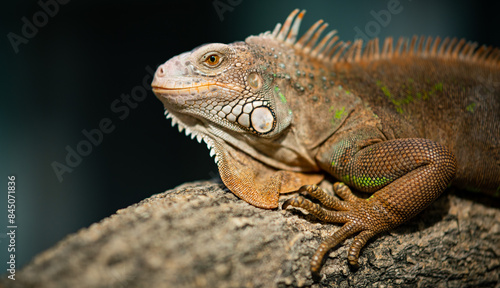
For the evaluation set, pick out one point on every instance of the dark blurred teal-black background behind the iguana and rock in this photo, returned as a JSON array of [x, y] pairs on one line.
[[89, 53]]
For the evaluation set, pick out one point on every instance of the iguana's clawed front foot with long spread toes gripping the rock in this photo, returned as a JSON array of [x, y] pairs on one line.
[[359, 215]]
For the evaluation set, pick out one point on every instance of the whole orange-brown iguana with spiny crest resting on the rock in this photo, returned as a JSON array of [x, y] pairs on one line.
[[401, 121]]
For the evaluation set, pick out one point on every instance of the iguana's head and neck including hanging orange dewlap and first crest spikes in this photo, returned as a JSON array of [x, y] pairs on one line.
[[234, 98]]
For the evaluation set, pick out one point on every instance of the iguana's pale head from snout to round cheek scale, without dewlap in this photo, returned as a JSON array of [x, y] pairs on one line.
[[223, 87]]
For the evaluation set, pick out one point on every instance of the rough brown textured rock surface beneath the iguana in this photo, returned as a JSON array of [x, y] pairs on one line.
[[200, 235]]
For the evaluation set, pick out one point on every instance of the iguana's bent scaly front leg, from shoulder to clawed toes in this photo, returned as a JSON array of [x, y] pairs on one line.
[[405, 174]]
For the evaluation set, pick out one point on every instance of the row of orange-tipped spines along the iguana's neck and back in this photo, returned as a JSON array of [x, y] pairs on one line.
[[331, 50]]
